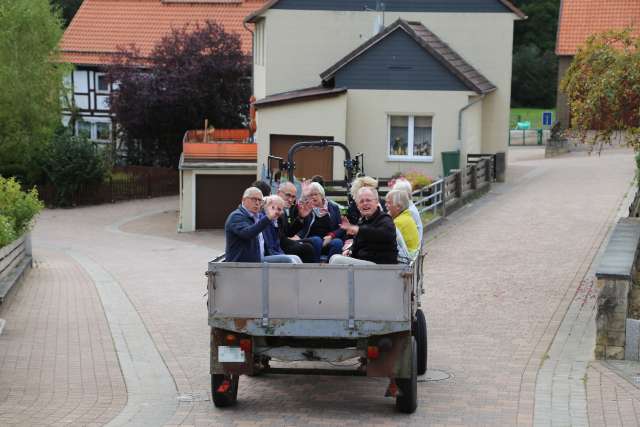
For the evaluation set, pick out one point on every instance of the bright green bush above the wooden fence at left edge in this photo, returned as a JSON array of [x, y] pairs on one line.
[[17, 209]]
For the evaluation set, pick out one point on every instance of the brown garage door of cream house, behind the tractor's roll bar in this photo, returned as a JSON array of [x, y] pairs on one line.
[[310, 161]]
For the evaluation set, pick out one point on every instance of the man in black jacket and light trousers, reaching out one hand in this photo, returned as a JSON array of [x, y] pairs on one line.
[[374, 239]]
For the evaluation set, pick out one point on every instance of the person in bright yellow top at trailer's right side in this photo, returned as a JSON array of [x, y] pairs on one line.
[[408, 239]]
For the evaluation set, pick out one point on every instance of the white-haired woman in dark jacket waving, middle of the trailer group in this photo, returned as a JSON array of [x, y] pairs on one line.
[[321, 225]]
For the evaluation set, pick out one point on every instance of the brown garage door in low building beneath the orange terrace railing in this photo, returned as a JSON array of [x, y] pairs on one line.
[[217, 196]]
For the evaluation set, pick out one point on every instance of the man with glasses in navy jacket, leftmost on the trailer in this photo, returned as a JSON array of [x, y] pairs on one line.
[[243, 230]]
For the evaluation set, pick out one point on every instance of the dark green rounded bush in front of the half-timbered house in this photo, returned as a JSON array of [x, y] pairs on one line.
[[69, 162]]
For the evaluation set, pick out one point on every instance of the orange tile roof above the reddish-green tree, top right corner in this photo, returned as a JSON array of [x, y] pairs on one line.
[[581, 18]]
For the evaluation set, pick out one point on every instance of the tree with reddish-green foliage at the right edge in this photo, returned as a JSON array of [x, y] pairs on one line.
[[603, 88]]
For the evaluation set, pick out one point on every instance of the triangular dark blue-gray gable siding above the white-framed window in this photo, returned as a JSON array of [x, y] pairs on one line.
[[397, 63]]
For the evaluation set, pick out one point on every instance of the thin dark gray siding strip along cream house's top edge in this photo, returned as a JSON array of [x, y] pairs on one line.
[[397, 5]]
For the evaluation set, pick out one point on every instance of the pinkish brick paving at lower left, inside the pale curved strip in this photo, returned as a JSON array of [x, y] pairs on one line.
[[57, 361]]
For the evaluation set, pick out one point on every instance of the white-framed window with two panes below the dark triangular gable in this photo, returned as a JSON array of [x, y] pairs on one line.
[[410, 138]]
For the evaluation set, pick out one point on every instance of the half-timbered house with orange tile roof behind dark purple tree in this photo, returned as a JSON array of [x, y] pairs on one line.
[[100, 27]]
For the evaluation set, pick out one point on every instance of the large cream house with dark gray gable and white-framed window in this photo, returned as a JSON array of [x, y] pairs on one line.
[[401, 81]]
